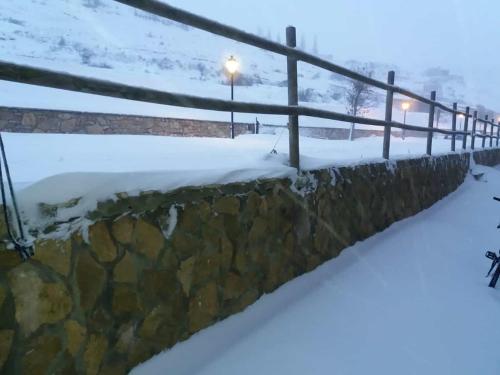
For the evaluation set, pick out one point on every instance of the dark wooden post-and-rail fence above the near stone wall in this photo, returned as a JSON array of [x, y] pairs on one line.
[[43, 77]]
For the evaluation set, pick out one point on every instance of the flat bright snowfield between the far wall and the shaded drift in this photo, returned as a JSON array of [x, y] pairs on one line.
[[34, 157]]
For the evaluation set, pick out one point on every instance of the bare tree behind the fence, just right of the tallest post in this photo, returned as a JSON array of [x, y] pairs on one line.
[[359, 96]]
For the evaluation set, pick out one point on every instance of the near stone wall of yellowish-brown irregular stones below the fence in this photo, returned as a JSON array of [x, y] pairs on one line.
[[154, 269]]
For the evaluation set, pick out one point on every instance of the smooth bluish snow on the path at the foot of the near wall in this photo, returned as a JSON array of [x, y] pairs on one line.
[[410, 300]]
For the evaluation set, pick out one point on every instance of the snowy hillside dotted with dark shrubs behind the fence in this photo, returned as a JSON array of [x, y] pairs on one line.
[[101, 38]]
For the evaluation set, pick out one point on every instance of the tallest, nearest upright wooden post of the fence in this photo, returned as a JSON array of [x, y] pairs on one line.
[[293, 99]]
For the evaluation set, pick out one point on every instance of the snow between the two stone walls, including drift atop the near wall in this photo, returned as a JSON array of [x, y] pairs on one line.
[[58, 168]]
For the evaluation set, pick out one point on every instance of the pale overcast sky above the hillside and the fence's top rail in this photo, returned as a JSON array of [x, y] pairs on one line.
[[460, 35]]
